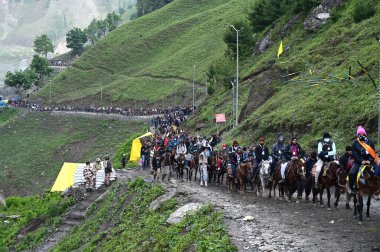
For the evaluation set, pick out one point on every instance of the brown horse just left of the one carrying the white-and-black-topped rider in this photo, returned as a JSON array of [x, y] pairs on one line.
[[295, 177]]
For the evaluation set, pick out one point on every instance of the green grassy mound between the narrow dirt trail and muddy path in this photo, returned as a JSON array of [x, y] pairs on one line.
[[123, 222]]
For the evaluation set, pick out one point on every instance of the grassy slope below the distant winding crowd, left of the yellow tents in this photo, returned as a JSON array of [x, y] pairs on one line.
[[35, 145]]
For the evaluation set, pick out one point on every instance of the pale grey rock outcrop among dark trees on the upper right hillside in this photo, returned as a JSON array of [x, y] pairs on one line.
[[320, 15]]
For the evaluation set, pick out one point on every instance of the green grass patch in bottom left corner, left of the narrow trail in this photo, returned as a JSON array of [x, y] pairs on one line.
[[48, 209]]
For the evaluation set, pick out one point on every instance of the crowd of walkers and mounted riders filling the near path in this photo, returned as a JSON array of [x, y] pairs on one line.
[[173, 152]]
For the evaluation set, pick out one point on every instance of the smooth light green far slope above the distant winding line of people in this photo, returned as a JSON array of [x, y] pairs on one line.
[[151, 51]]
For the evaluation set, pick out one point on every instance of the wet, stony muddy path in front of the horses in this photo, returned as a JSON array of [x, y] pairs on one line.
[[282, 226]]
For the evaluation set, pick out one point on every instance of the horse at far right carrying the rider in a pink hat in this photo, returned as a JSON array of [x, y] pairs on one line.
[[368, 185]]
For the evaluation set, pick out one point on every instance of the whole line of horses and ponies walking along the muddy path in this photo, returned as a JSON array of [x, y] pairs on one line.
[[297, 179]]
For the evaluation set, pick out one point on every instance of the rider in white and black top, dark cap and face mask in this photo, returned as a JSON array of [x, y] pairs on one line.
[[326, 153]]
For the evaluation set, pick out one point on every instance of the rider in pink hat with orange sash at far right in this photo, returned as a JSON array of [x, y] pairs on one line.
[[363, 153]]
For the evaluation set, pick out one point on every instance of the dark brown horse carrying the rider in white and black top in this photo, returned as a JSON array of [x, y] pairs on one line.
[[331, 177]]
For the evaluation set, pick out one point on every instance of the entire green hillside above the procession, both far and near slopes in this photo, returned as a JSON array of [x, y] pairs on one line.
[[164, 45]]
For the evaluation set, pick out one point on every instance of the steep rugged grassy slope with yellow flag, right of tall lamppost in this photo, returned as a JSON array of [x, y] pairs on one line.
[[301, 109]]
